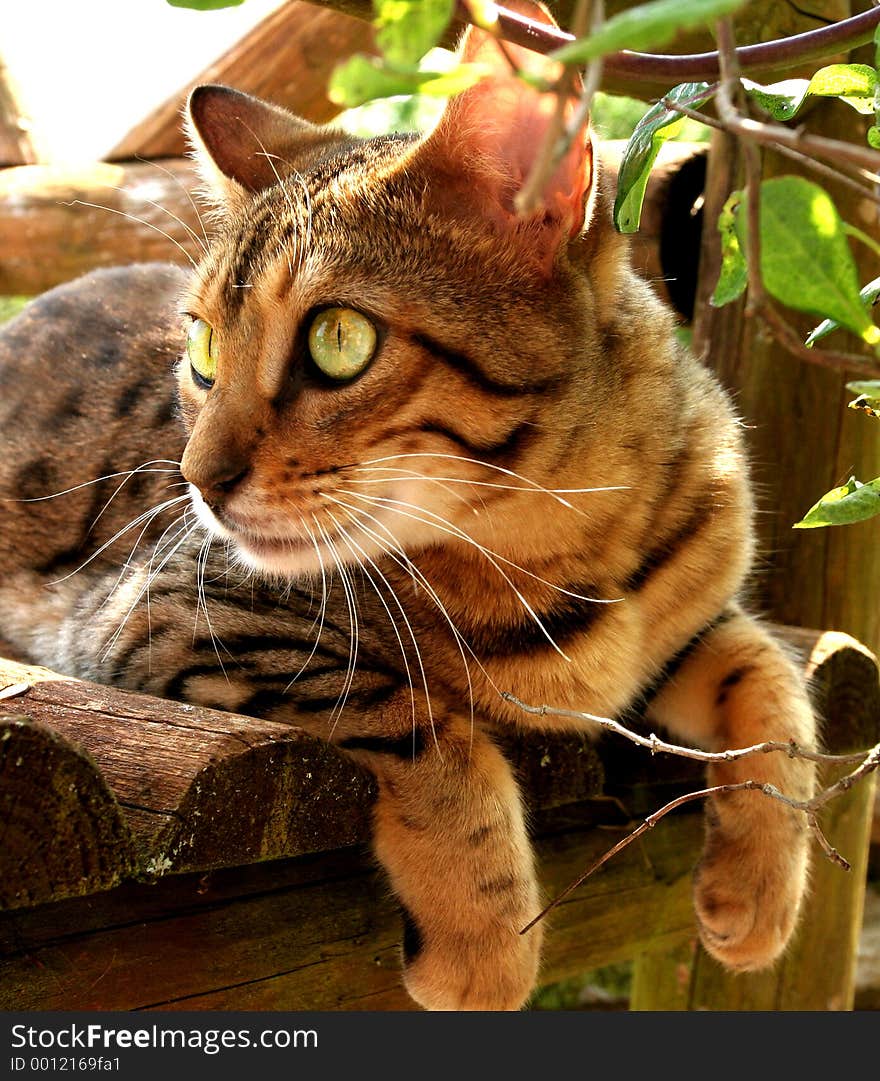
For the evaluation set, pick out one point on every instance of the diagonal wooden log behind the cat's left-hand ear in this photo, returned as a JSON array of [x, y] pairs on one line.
[[287, 59]]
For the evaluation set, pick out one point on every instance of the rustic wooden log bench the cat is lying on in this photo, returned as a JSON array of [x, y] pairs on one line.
[[163, 857]]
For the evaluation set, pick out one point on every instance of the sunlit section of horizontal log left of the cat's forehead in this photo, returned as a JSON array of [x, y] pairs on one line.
[[58, 223]]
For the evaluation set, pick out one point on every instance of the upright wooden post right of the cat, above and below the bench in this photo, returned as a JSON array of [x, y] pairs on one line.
[[804, 442]]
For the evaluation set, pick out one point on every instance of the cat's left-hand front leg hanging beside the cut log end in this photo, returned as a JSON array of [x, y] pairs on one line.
[[450, 832]]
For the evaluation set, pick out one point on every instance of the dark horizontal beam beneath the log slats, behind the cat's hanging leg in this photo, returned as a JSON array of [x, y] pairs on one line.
[[308, 943]]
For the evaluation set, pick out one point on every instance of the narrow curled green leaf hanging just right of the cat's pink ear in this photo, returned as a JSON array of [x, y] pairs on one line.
[[658, 125]]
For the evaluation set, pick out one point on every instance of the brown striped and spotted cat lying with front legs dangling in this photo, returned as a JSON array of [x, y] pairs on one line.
[[426, 451]]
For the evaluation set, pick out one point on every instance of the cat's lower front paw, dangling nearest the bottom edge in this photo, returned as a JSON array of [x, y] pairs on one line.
[[472, 973]]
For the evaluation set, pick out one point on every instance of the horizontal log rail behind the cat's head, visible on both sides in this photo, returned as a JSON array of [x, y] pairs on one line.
[[57, 224]]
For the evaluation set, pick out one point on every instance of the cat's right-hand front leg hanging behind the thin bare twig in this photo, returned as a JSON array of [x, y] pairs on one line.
[[737, 689]]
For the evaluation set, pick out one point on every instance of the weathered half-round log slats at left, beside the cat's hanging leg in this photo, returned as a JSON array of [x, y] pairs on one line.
[[196, 789]]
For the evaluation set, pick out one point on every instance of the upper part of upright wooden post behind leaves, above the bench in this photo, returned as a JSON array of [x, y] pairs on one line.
[[803, 439]]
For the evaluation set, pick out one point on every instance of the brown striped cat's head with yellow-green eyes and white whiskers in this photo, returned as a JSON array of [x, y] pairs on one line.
[[375, 326]]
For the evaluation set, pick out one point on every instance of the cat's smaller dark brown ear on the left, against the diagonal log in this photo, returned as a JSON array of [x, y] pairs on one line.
[[244, 145]]
